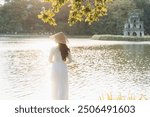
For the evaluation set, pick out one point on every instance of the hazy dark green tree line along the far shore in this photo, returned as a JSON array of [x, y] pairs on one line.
[[20, 17]]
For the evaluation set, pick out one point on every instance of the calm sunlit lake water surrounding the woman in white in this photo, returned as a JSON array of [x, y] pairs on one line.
[[99, 67]]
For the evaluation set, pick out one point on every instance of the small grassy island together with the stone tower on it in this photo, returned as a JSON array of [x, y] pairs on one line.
[[133, 30]]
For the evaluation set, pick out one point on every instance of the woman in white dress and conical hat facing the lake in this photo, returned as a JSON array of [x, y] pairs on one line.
[[59, 56]]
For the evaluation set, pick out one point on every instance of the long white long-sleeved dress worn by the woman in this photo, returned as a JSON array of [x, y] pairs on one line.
[[59, 75]]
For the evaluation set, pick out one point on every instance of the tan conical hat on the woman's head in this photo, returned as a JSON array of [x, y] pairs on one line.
[[59, 38]]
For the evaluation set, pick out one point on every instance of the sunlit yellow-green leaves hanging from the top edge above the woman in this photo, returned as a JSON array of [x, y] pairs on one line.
[[80, 10]]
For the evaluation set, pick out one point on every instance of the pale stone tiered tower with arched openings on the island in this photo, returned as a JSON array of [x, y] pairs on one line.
[[133, 26]]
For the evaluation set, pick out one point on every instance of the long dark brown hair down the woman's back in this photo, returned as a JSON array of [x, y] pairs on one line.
[[64, 50]]
